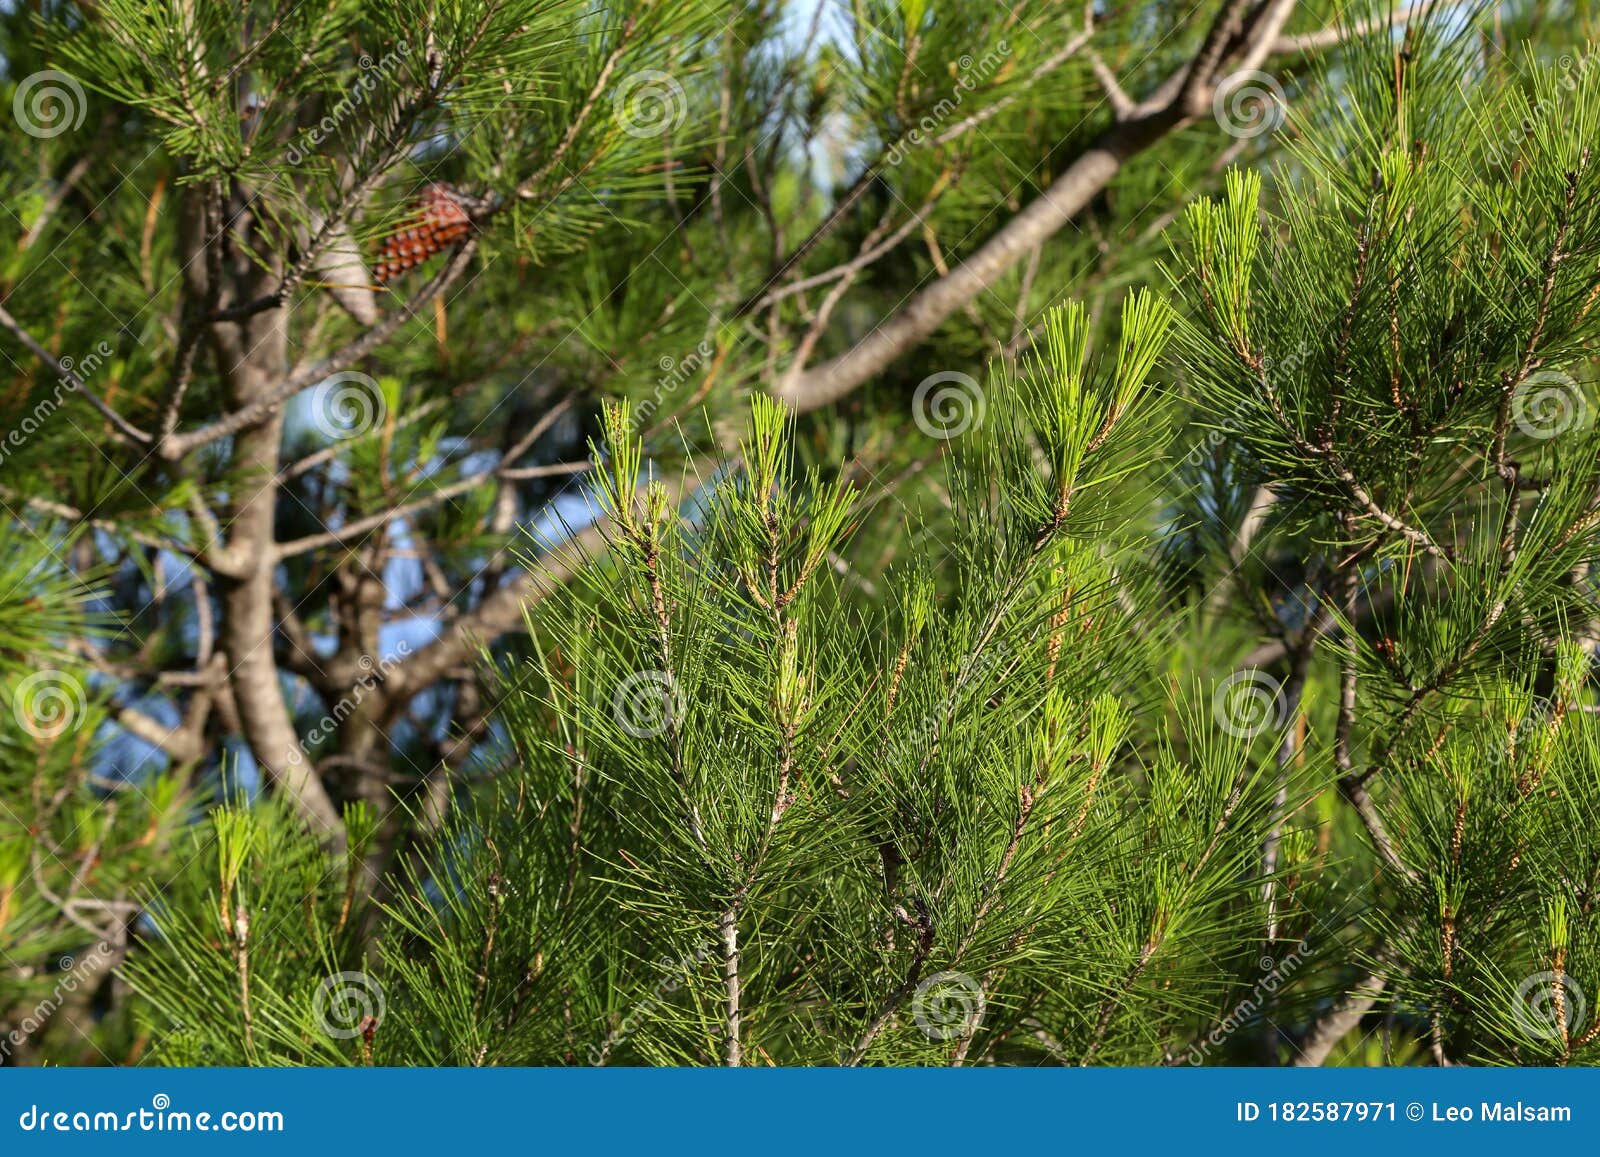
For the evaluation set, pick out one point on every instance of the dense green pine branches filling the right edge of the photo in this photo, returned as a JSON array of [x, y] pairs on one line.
[[1398, 354]]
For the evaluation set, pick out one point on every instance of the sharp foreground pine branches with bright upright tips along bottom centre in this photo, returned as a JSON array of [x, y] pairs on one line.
[[730, 839]]
